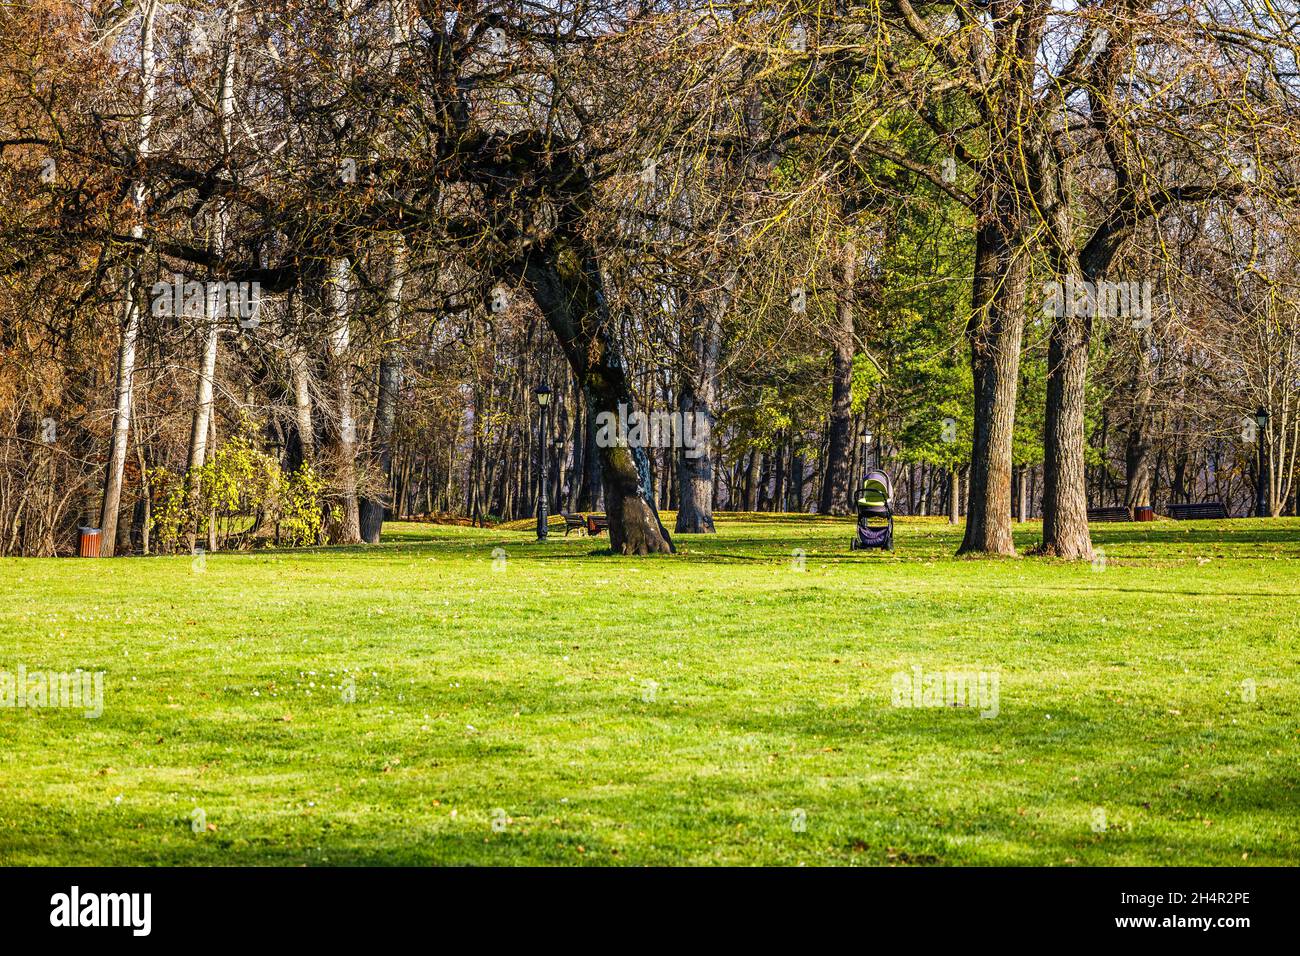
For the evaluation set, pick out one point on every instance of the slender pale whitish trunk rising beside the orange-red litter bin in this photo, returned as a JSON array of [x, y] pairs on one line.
[[116, 466]]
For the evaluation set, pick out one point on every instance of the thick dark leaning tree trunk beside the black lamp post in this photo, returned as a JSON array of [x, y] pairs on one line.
[[566, 283]]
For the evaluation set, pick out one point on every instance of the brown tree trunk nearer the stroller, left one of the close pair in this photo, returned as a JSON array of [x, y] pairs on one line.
[[995, 331]]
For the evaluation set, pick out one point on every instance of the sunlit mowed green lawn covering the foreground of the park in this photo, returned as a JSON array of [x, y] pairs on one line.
[[423, 703]]
